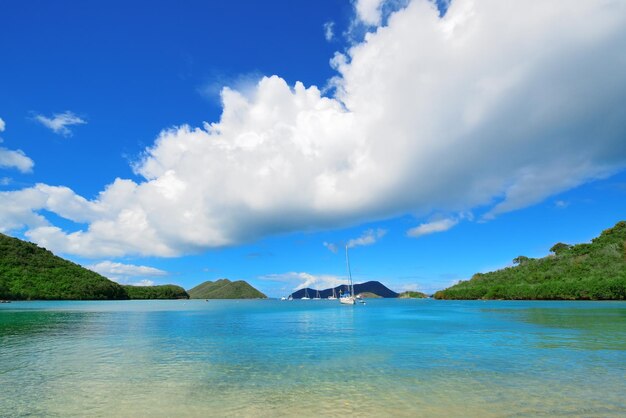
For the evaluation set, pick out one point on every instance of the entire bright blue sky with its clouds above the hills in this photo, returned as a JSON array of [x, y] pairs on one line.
[[159, 142]]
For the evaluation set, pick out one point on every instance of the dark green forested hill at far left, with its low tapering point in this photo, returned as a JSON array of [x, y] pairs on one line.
[[29, 272]]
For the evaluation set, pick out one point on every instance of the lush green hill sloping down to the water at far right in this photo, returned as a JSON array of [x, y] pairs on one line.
[[593, 271]]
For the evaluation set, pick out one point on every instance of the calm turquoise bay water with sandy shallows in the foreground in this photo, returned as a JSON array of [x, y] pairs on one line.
[[267, 358]]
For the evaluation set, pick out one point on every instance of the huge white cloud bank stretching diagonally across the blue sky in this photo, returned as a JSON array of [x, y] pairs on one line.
[[496, 105]]
